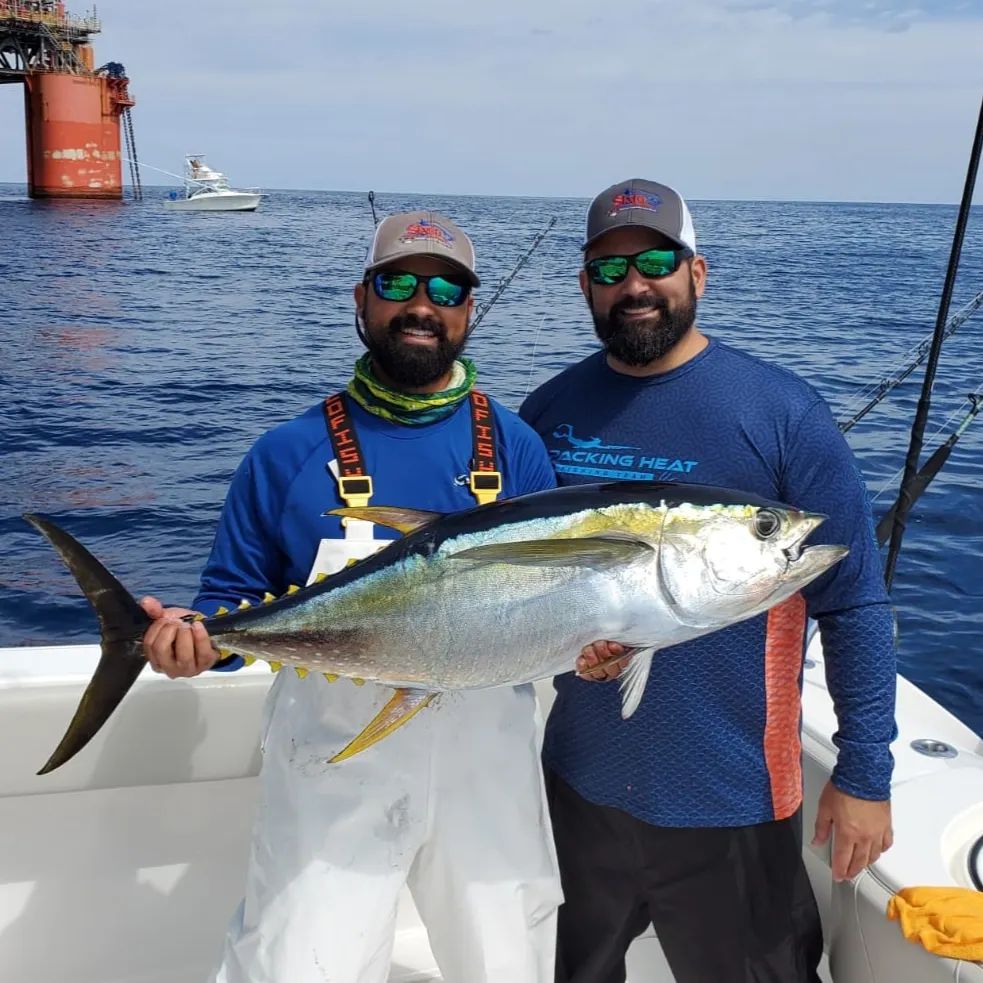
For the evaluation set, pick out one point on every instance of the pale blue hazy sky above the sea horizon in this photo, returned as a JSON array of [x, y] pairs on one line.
[[828, 100]]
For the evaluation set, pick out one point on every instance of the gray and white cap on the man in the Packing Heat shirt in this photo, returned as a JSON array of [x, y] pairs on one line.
[[645, 203]]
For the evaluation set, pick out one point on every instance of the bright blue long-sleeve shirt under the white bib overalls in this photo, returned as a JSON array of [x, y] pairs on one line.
[[272, 521]]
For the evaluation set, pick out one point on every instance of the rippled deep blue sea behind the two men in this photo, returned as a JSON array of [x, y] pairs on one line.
[[141, 352]]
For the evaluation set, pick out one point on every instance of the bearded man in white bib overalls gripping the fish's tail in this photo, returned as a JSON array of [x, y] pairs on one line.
[[453, 802]]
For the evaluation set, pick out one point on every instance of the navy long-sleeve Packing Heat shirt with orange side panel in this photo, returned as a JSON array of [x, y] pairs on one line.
[[716, 739]]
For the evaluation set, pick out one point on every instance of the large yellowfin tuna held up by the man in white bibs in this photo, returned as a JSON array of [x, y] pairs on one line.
[[503, 594]]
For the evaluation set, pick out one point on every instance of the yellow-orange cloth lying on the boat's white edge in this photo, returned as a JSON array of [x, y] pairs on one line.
[[946, 920]]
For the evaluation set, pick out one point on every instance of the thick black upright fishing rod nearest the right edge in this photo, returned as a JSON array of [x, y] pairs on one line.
[[905, 500]]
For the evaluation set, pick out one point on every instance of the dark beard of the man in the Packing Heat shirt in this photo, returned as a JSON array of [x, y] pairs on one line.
[[639, 341]]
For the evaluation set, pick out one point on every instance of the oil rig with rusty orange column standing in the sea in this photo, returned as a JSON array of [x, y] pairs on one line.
[[75, 113]]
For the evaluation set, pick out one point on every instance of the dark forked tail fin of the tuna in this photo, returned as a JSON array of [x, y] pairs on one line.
[[122, 623]]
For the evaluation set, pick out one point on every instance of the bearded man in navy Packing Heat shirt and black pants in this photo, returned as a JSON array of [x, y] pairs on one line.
[[688, 815]]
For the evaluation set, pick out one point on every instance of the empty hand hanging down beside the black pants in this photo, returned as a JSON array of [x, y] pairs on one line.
[[861, 830]]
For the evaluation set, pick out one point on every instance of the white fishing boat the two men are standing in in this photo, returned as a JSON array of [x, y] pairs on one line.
[[135, 851]]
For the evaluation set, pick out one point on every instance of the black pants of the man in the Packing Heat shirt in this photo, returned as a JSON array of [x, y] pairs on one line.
[[729, 905]]
